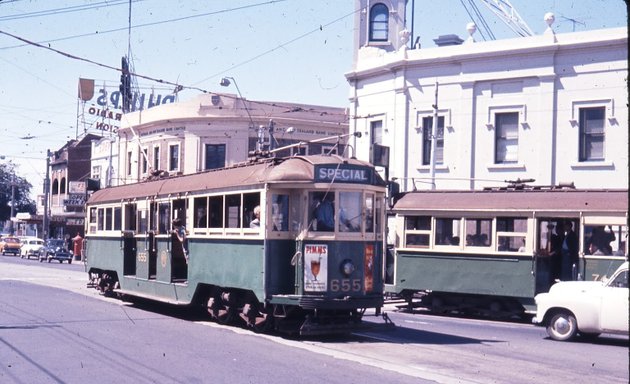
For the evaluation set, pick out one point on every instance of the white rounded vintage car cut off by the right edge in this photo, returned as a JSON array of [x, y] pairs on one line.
[[585, 307]]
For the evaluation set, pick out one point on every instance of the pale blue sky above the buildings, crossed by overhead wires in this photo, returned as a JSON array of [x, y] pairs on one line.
[[275, 50]]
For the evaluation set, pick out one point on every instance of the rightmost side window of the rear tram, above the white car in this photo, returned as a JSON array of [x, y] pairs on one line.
[[604, 240]]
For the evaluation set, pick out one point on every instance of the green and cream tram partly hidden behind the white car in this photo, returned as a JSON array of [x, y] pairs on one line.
[[490, 252]]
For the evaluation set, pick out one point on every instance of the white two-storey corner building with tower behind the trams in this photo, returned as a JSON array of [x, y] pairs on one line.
[[551, 107]]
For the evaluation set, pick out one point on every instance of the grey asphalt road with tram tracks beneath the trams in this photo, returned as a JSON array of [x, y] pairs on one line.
[[106, 339]]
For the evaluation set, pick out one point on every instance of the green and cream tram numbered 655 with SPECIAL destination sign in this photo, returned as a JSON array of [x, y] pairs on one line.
[[282, 271]]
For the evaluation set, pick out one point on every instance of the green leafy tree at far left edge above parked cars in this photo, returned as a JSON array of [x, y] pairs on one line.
[[23, 203]]
